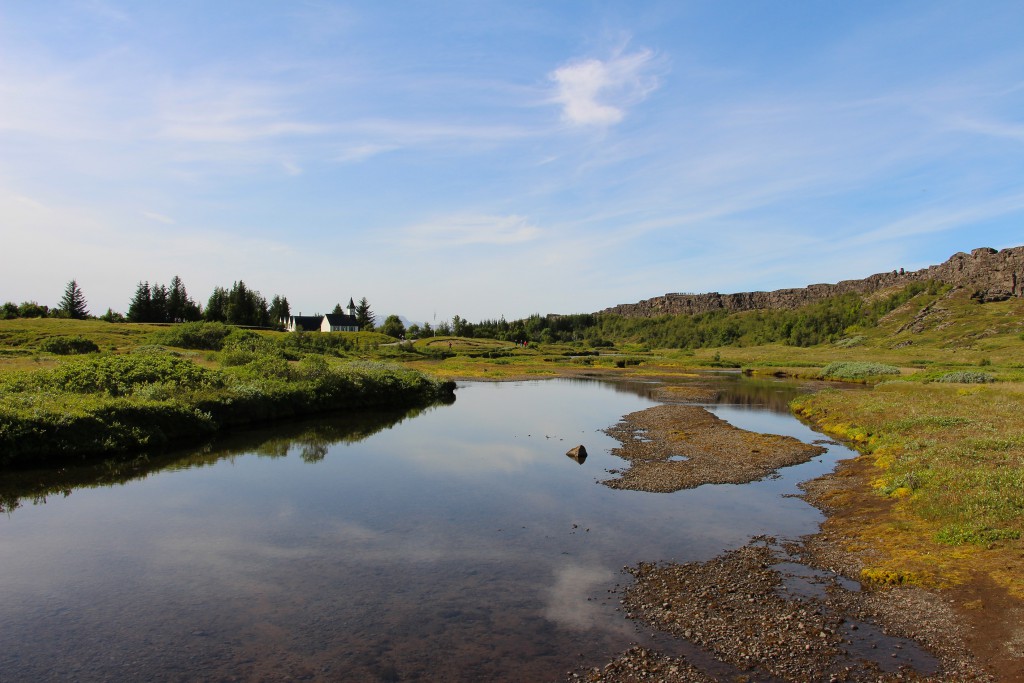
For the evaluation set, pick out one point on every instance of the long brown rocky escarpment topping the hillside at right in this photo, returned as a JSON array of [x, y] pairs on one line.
[[994, 276]]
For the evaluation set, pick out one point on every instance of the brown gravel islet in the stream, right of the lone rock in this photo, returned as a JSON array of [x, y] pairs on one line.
[[672, 447]]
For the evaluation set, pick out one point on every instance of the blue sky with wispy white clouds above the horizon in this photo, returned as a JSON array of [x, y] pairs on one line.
[[488, 159]]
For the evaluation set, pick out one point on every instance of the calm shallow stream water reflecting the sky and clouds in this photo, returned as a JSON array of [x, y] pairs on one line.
[[457, 544]]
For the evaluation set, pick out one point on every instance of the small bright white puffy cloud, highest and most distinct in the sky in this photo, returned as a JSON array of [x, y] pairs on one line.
[[595, 93]]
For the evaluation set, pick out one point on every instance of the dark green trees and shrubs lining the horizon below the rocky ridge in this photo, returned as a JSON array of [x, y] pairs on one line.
[[823, 322]]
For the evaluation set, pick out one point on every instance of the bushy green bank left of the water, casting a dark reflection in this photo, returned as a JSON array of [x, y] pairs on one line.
[[105, 404]]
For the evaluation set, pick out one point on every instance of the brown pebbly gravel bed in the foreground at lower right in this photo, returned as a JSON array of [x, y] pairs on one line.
[[738, 609]]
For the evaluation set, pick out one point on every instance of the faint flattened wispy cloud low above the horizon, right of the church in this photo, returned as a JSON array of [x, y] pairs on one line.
[[471, 230]]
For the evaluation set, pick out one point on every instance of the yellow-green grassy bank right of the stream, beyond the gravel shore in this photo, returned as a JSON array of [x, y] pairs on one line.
[[950, 459]]
